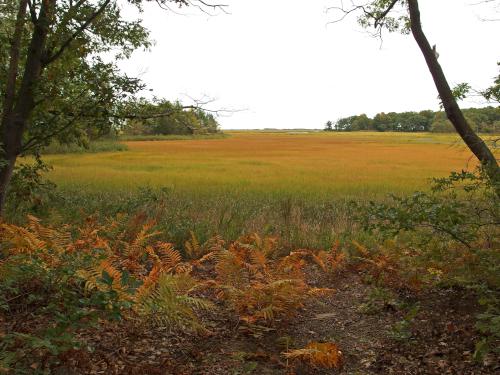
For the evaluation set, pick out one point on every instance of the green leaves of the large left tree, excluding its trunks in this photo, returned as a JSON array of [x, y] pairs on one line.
[[78, 106]]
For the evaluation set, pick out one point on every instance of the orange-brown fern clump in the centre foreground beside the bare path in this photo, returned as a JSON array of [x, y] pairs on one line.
[[257, 289]]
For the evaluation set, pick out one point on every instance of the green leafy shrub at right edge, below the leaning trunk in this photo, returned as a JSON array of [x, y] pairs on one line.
[[463, 208]]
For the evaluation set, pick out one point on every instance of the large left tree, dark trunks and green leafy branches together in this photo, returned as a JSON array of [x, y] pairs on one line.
[[53, 80]]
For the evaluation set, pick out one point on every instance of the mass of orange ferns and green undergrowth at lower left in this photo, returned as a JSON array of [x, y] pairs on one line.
[[69, 280]]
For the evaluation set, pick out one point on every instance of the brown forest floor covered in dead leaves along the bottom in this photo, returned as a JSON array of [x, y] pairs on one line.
[[373, 331]]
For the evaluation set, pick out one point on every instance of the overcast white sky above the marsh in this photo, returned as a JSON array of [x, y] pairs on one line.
[[281, 61]]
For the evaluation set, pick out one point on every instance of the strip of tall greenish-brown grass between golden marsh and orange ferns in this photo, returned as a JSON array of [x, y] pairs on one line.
[[299, 222]]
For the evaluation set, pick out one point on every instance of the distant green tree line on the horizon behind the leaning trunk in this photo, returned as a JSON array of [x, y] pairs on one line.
[[482, 120]]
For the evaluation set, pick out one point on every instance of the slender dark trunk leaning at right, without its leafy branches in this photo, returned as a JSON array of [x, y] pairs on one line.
[[453, 112]]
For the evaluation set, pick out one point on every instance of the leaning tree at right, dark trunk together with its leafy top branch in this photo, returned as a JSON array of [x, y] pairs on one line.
[[383, 15]]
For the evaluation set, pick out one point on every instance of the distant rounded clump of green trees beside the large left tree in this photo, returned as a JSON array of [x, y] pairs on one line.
[[172, 118]]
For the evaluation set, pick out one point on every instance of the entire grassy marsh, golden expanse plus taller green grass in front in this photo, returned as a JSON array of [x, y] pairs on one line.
[[296, 186]]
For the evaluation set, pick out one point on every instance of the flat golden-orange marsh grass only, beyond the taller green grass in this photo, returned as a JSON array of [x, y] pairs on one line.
[[343, 164]]
